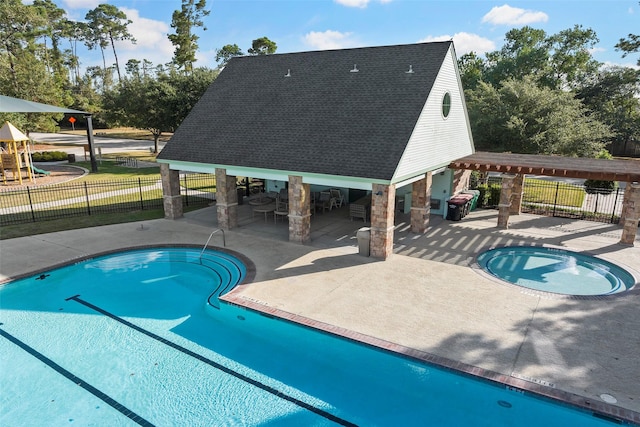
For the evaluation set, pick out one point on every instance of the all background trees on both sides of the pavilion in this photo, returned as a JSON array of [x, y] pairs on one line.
[[539, 93]]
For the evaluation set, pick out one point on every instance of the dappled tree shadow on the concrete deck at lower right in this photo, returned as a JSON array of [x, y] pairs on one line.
[[578, 346]]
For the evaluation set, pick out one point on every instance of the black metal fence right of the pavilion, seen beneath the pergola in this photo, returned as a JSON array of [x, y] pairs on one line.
[[560, 199]]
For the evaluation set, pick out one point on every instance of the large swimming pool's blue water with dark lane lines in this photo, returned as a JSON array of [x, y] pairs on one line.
[[131, 339]]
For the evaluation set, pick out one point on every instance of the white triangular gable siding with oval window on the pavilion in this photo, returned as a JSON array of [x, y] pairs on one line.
[[437, 141]]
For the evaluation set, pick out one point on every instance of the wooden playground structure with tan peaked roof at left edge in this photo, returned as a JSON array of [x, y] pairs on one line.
[[12, 158]]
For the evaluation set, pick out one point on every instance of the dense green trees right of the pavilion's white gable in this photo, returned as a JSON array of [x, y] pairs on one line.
[[546, 94]]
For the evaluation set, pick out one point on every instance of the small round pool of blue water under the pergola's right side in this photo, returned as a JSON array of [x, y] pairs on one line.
[[555, 270]]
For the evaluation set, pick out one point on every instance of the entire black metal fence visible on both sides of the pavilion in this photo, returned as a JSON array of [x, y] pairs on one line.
[[33, 204]]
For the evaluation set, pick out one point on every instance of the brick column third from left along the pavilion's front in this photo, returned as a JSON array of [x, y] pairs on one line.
[[299, 210]]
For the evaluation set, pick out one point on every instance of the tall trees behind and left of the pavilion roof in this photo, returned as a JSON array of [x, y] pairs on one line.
[[39, 62]]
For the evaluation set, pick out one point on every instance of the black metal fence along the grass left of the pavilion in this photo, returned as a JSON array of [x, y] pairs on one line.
[[33, 204]]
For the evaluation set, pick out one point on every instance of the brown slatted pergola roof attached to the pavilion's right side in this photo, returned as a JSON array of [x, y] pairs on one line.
[[568, 167]]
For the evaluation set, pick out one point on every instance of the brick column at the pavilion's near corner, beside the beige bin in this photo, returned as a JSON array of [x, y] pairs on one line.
[[382, 211]]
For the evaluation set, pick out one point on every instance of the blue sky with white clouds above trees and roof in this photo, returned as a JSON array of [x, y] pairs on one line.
[[302, 25]]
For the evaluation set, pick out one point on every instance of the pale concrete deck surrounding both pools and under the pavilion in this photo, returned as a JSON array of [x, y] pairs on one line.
[[427, 300]]
